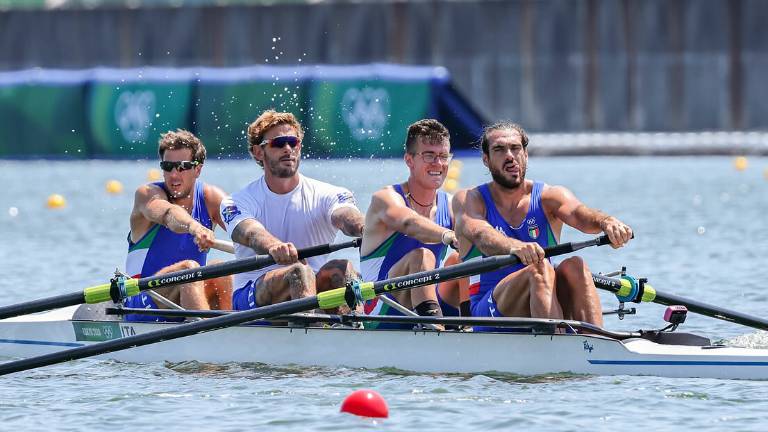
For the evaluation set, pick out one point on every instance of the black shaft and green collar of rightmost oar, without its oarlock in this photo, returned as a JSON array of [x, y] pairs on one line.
[[614, 285]]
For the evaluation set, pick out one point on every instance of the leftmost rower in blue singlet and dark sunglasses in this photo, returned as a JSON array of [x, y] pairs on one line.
[[171, 229]]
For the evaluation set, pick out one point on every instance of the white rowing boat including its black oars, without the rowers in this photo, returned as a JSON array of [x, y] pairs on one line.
[[77, 326]]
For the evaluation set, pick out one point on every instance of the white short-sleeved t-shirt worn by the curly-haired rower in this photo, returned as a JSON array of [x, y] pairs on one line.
[[301, 216]]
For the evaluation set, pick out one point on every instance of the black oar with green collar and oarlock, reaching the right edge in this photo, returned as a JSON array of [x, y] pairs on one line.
[[631, 289]]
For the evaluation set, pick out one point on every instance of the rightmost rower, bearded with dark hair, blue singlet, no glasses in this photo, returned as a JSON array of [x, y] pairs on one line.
[[513, 215]]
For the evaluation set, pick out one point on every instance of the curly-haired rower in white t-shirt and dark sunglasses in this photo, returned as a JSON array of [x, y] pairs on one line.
[[283, 211]]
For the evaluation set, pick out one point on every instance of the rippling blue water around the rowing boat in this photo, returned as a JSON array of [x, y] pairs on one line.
[[700, 233]]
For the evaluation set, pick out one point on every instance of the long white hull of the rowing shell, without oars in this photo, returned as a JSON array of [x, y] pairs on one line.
[[417, 351]]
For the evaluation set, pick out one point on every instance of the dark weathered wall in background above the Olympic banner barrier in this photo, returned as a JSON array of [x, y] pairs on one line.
[[552, 65]]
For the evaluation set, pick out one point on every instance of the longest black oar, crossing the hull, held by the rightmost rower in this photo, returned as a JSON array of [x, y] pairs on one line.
[[325, 300]]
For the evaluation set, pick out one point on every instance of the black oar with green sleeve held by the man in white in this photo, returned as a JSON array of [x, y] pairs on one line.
[[130, 287]]
